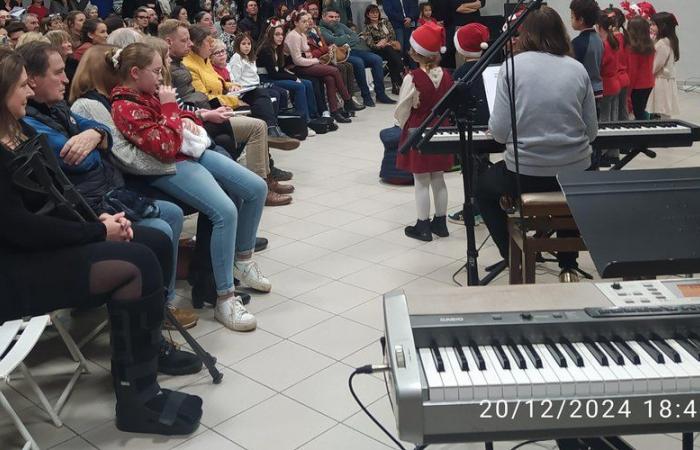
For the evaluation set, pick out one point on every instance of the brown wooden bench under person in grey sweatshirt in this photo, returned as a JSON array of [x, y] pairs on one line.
[[543, 213]]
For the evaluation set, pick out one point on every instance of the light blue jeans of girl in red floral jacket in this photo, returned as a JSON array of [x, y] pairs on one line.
[[210, 185]]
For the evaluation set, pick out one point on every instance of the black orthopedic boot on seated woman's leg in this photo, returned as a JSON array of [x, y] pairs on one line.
[[142, 406]]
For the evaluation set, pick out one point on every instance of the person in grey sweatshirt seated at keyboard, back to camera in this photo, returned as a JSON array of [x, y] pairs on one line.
[[556, 123]]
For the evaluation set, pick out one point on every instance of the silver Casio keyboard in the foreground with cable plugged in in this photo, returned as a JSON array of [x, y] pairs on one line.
[[544, 361]]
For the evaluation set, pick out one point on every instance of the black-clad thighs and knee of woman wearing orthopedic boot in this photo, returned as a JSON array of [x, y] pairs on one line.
[[84, 276]]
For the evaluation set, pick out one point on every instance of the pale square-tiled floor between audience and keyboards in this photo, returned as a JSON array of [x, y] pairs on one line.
[[333, 252]]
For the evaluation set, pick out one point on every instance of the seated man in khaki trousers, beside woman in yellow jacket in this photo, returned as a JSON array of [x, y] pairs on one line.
[[250, 130]]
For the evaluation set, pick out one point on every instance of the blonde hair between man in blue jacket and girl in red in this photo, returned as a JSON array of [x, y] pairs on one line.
[[94, 72]]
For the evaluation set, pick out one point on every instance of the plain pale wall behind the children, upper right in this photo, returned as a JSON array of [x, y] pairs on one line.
[[687, 12]]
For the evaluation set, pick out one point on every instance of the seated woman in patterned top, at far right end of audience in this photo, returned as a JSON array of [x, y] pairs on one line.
[[381, 38]]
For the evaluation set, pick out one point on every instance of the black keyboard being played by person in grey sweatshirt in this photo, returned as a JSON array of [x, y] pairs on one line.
[[651, 133]]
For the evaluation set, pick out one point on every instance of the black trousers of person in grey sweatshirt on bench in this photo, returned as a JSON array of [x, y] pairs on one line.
[[497, 181]]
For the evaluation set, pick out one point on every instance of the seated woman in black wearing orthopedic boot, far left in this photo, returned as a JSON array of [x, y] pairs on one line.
[[48, 262]]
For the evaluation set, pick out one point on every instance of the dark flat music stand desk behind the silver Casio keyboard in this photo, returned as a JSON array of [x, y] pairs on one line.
[[638, 222]]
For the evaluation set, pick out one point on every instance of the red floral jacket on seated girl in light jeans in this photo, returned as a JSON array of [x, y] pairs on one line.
[[152, 126]]
